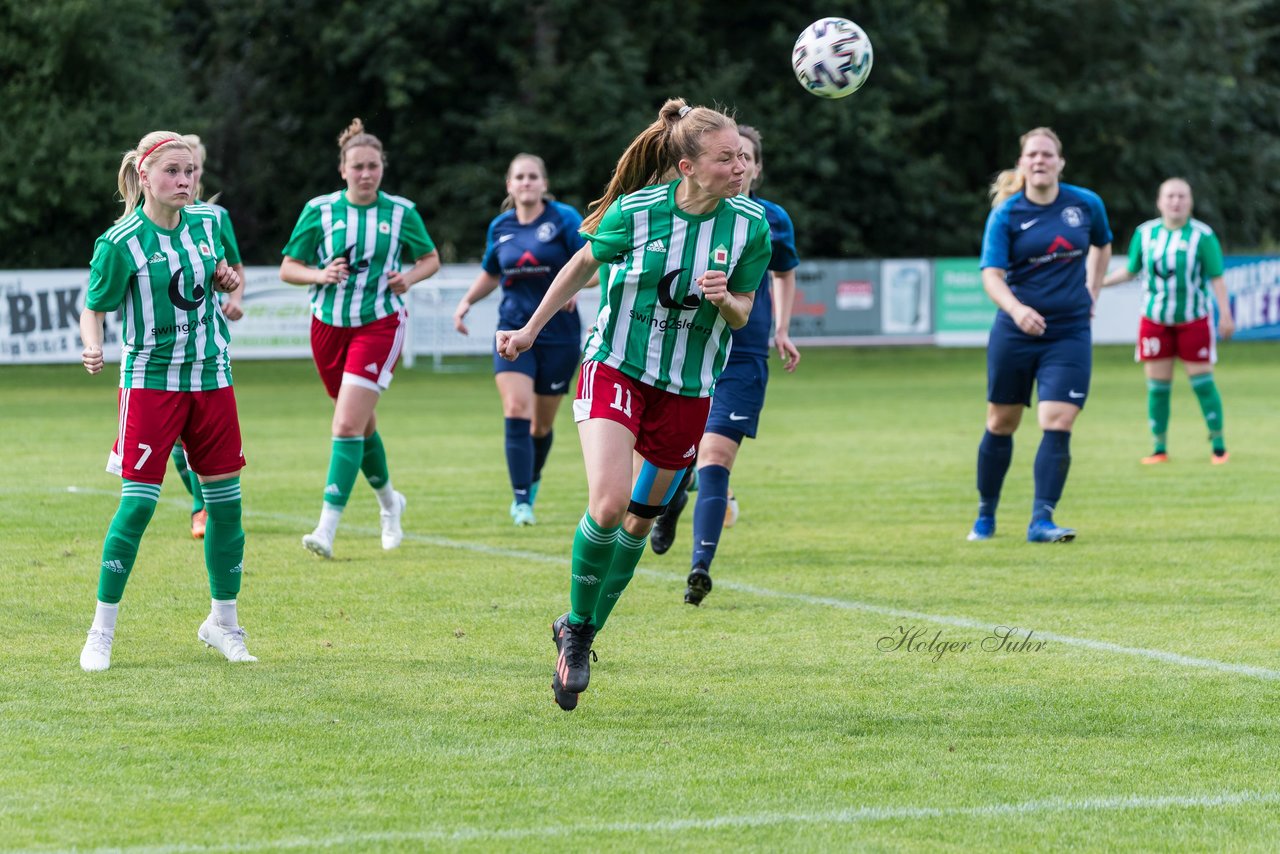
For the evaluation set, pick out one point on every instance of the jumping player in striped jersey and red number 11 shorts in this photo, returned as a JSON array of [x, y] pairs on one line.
[[684, 261]]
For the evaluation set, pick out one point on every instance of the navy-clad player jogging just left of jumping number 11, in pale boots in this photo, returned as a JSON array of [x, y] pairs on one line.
[[527, 246]]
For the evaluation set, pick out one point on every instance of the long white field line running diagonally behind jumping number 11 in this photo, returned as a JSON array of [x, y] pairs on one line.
[[844, 605]]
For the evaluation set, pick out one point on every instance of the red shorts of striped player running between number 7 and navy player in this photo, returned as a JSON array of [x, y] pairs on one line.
[[359, 355]]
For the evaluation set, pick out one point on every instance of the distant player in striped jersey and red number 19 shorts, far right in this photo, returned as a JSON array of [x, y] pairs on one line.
[[1182, 261]]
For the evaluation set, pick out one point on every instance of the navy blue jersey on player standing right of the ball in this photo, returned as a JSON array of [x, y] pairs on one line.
[[1044, 252]]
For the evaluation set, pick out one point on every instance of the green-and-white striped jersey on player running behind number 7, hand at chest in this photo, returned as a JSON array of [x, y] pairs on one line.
[[372, 238]]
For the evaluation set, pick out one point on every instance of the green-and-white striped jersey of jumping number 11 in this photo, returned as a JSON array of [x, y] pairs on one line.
[[655, 326]]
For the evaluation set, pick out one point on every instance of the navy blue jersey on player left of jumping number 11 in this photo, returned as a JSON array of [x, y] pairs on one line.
[[527, 259]]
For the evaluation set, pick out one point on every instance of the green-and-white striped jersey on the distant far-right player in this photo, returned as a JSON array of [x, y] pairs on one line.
[[1178, 267]]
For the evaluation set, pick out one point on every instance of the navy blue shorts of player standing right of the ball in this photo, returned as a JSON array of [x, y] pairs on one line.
[[1060, 368]]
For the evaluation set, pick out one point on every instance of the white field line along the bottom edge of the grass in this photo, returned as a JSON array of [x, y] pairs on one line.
[[847, 816]]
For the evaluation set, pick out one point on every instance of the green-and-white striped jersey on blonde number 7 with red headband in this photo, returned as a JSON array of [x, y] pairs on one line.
[[173, 334]]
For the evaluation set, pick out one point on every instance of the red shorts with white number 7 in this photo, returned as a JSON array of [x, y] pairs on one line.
[[152, 422]]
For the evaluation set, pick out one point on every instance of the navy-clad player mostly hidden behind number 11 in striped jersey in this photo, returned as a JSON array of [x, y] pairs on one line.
[[740, 389]]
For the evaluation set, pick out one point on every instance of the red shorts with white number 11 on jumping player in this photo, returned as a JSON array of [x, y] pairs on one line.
[[668, 427]]
